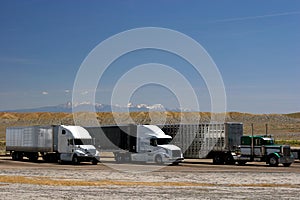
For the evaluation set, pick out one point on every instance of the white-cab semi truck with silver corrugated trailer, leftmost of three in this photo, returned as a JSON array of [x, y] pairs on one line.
[[55, 143]]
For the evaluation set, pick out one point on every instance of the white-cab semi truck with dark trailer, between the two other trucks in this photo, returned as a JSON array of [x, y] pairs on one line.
[[136, 143]]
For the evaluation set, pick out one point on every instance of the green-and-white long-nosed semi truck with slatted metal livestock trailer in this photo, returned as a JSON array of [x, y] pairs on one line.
[[225, 144]]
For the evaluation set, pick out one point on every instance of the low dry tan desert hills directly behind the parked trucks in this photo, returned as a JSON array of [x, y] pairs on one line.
[[282, 126]]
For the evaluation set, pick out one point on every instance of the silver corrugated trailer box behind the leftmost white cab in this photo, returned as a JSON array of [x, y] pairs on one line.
[[30, 139]]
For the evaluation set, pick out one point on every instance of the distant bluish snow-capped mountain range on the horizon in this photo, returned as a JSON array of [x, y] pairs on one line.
[[87, 106]]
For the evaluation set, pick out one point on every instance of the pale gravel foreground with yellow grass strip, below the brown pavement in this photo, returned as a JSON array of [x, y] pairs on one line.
[[165, 184]]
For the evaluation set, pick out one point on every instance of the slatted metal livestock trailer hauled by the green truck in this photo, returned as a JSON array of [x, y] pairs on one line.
[[206, 140]]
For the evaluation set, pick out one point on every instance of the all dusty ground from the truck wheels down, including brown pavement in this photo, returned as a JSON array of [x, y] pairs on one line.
[[194, 179]]
